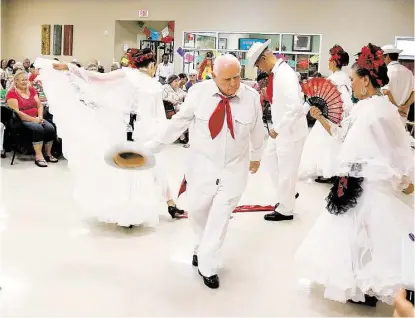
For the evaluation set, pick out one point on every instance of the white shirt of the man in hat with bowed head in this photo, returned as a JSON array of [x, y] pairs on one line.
[[288, 117]]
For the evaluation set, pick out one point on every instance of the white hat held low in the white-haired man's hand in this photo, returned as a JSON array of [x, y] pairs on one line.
[[130, 155]]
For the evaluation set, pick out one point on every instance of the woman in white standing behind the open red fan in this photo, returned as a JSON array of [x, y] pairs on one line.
[[320, 150]]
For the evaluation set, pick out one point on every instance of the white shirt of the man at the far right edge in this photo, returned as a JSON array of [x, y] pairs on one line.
[[401, 82]]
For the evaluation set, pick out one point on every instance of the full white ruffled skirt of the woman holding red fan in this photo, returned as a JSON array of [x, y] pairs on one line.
[[359, 252]]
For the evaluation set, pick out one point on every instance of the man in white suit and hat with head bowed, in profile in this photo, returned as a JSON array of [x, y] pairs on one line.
[[289, 128]]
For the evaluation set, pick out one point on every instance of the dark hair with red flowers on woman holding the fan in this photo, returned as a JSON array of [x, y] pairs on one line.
[[370, 63]]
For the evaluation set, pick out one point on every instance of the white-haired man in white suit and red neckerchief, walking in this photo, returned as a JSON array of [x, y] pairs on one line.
[[224, 118]]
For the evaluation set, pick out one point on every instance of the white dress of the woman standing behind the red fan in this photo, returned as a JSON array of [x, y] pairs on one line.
[[320, 150]]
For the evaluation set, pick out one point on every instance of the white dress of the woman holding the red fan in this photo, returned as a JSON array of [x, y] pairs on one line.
[[360, 252]]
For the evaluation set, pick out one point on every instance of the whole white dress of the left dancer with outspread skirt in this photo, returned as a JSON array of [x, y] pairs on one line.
[[92, 111]]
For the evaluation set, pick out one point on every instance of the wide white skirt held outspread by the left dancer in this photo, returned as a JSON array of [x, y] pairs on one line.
[[112, 195]]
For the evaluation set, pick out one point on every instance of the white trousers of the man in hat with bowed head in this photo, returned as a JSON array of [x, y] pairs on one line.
[[282, 160]]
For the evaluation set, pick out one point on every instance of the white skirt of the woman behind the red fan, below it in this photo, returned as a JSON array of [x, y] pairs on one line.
[[319, 155]]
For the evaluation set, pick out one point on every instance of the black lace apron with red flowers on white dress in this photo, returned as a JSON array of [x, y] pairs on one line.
[[344, 194]]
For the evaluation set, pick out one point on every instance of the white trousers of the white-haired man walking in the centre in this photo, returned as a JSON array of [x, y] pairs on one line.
[[209, 216]]
